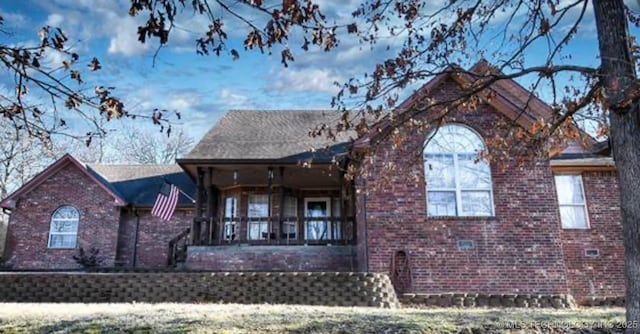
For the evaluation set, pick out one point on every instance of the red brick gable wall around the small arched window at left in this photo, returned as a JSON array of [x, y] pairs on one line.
[[29, 224]]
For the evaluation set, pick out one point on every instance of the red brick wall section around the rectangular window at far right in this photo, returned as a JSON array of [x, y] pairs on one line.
[[602, 275]]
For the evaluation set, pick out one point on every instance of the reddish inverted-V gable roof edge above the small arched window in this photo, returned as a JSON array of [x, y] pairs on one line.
[[55, 167]]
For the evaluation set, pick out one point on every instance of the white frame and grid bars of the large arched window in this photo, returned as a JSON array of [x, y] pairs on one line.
[[458, 190]]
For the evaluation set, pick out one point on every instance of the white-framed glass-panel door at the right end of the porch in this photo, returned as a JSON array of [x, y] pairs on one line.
[[317, 212]]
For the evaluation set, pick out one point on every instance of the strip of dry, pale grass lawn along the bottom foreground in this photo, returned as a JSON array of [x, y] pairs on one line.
[[231, 318]]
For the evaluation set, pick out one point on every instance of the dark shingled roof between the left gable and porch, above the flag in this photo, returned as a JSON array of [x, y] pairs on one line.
[[139, 184]]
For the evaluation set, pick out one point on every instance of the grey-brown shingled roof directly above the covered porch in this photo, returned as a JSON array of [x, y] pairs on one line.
[[270, 135]]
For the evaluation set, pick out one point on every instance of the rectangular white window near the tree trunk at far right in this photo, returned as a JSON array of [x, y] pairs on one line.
[[573, 208]]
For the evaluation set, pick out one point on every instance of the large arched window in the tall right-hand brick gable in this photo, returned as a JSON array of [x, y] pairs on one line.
[[458, 184]]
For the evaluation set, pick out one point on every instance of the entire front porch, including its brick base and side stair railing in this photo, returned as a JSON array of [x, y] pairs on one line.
[[285, 217]]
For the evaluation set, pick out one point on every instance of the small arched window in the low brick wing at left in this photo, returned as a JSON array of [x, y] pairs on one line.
[[63, 232]]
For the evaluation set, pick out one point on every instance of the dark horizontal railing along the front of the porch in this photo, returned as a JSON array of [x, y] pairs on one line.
[[274, 230]]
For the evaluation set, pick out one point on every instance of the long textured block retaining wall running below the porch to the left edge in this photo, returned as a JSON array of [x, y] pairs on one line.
[[319, 288]]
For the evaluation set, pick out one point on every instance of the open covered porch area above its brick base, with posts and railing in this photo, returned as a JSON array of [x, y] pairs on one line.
[[277, 204]]
